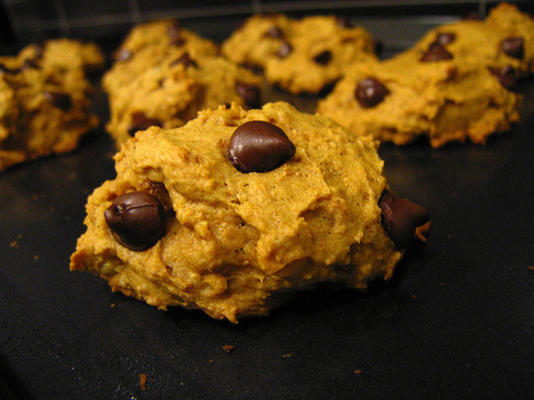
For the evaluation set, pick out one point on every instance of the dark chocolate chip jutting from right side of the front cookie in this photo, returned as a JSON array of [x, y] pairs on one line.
[[400, 218]]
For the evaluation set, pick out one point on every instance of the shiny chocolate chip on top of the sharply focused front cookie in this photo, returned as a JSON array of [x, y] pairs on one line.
[[258, 146]]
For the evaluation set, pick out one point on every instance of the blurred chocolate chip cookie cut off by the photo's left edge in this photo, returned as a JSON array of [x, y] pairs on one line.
[[45, 102]]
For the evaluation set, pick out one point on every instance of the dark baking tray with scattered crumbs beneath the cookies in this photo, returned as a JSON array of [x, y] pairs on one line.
[[455, 322]]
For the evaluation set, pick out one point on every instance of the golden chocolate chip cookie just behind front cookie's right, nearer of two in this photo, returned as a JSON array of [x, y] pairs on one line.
[[434, 96]]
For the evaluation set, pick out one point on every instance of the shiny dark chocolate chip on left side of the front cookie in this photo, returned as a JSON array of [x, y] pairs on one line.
[[136, 220]]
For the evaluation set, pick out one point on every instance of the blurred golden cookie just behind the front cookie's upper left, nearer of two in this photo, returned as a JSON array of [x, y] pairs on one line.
[[172, 92]]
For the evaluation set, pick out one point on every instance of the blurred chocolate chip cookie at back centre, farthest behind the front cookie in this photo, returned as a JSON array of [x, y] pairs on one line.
[[299, 55]]
